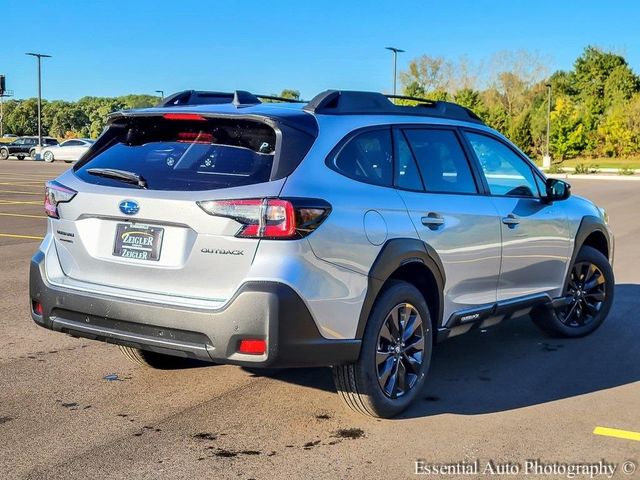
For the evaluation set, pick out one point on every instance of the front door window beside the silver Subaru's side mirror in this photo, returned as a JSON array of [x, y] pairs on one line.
[[507, 174]]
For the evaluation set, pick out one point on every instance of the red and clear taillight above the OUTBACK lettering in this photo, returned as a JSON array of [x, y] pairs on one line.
[[271, 218]]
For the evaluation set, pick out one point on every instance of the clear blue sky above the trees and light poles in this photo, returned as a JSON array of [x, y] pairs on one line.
[[118, 47]]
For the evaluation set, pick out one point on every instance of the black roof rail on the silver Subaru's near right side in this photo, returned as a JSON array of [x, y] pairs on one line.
[[348, 102]]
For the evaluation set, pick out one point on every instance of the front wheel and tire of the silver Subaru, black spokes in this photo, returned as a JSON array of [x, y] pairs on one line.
[[591, 288]]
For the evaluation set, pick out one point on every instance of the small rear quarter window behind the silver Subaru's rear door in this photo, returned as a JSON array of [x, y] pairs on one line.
[[367, 157]]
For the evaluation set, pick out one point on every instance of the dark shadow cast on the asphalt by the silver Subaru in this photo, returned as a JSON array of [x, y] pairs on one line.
[[514, 365]]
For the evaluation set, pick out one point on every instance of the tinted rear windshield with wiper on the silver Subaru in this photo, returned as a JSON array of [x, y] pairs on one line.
[[182, 153]]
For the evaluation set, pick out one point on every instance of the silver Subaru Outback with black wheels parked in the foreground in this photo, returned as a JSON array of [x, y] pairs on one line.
[[348, 232]]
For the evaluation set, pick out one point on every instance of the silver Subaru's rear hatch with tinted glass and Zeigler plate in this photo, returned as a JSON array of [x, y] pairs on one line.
[[135, 222]]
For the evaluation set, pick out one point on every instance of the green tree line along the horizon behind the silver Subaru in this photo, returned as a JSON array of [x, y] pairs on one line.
[[595, 106]]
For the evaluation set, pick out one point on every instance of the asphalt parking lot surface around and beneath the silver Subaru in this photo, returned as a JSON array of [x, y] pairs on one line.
[[73, 408]]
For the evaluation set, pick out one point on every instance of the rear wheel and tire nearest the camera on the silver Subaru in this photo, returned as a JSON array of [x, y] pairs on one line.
[[361, 385]]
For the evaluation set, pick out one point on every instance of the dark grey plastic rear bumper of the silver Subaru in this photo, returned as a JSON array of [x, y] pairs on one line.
[[259, 310]]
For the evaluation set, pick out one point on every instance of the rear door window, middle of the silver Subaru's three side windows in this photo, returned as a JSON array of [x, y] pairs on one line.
[[442, 161]]
